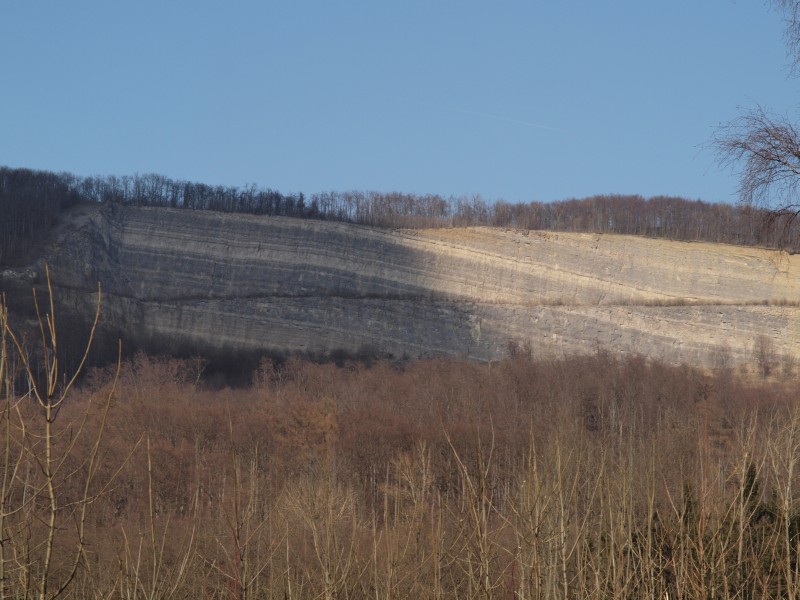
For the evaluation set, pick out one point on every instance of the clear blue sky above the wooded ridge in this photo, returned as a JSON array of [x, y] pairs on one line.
[[537, 100]]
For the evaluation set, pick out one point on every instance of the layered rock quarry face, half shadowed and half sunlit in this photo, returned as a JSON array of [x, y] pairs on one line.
[[222, 282]]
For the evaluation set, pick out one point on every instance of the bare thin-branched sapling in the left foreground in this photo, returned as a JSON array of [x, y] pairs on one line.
[[49, 477]]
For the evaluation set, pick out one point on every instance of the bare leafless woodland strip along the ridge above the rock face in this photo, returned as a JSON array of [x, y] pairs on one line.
[[31, 201]]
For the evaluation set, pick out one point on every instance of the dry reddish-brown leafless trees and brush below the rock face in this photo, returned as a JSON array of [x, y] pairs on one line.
[[584, 477]]
